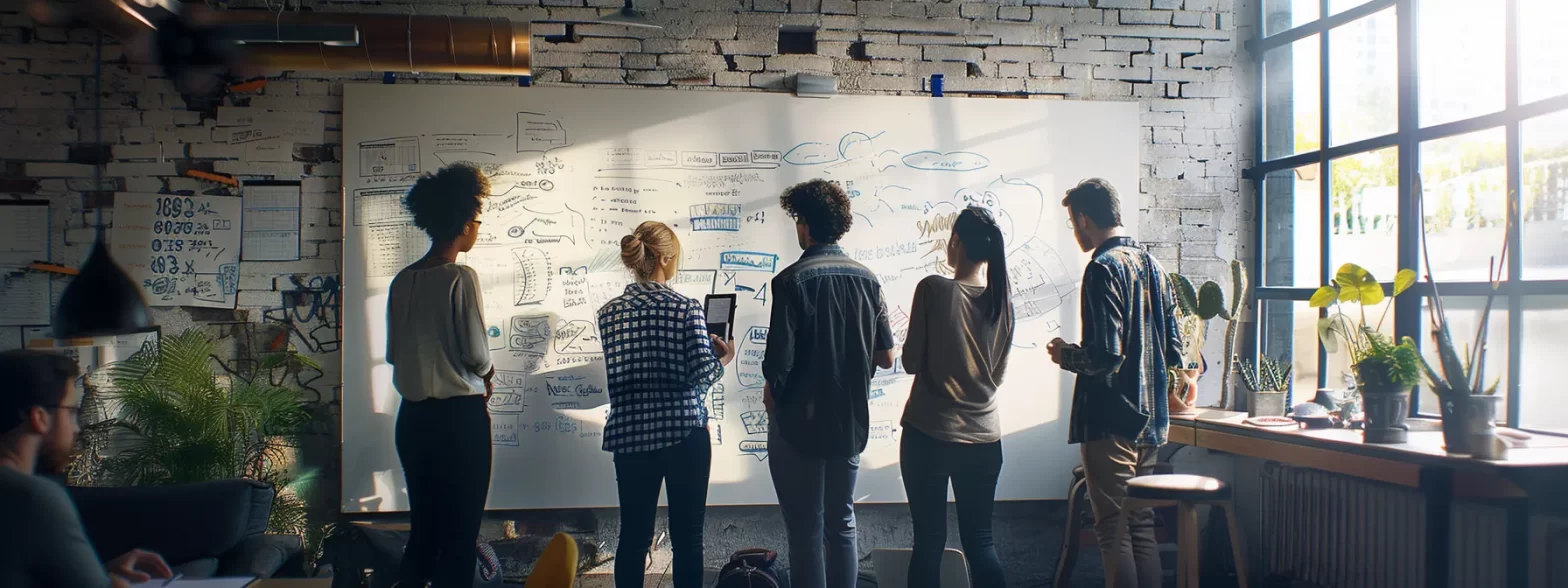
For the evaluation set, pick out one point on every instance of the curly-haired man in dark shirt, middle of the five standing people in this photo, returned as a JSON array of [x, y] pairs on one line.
[[827, 333]]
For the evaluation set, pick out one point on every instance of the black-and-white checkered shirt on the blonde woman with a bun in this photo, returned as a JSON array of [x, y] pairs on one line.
[[659, 365]]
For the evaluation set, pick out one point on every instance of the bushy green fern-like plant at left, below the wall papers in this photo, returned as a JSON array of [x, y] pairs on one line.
[[184, 423]]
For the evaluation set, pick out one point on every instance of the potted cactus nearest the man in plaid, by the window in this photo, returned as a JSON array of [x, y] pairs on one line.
[[1205, 303]]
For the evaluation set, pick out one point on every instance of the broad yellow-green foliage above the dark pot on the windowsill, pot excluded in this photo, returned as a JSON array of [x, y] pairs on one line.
[[1377, 361]]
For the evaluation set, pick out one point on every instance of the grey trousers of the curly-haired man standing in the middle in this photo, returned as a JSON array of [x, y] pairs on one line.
[[818, 499]]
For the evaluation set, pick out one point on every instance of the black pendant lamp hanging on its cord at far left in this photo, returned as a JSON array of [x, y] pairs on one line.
[[101, 300]]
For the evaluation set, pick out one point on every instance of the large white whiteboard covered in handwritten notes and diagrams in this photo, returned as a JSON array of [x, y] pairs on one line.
[[575, 170]]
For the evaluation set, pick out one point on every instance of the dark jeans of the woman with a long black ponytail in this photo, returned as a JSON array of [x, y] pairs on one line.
[[929, 465]]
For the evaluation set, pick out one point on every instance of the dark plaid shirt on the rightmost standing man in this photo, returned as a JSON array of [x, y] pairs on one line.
[[1130, 339]]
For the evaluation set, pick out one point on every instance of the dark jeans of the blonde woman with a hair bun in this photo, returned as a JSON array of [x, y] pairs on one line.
[[683, 471]]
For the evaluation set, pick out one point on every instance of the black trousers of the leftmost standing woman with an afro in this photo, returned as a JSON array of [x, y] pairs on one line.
[[446, 452]]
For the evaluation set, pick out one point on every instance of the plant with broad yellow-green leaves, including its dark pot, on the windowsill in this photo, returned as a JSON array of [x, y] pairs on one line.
[[1385, 371]]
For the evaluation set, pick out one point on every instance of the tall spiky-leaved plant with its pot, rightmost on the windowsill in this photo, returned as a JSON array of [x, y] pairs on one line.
[[1468, 402]]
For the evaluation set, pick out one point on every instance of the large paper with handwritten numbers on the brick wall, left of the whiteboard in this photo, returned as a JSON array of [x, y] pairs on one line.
[[181, 250]]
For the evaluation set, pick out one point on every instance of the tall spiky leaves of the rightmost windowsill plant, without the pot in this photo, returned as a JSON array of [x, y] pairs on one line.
[[1461, 377]]
